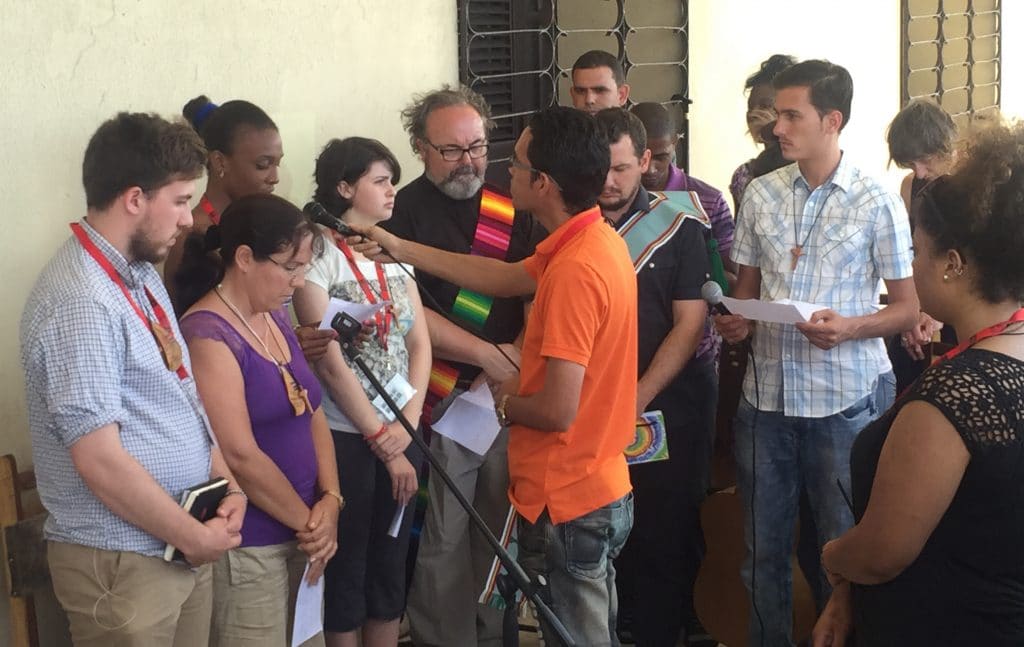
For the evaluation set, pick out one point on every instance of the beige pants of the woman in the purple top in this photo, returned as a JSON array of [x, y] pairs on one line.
[[254, 592]]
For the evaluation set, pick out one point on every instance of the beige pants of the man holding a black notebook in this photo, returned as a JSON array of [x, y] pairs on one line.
[[121, 599]]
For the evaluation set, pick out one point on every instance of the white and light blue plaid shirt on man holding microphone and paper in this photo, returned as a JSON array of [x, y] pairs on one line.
[[862, 237]]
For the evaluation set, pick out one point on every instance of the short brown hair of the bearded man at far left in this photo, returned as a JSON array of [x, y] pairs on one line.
[[139, 150]]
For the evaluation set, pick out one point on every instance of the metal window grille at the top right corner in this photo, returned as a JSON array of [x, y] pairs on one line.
[[952, 52]]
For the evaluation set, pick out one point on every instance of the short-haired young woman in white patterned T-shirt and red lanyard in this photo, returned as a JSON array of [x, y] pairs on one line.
[[365, 592]]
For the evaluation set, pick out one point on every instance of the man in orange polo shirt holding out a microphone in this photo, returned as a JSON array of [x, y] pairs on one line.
[[574, 412]]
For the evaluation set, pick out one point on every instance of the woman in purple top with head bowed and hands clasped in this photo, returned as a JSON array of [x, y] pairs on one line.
[[265, 408]]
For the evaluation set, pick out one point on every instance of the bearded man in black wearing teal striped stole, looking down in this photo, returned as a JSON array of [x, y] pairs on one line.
[[667, 237]]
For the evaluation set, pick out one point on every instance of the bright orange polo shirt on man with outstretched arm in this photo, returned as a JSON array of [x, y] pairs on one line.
[[585, 312]]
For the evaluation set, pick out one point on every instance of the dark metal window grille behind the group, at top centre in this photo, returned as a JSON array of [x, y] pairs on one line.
[[520, 55]]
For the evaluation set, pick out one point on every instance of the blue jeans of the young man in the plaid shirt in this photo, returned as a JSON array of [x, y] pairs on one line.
[[793, 453]]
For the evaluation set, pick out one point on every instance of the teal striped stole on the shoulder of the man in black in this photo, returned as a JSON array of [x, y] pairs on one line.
[[647, 232]]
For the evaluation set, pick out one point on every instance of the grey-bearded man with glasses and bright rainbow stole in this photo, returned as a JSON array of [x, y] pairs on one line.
[[450, 208]]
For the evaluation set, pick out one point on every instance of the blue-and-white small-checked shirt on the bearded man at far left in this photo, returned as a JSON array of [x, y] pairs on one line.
[[91, 362]]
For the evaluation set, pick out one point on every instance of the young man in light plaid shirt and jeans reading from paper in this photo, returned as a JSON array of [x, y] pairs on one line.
[[822, 232]]
